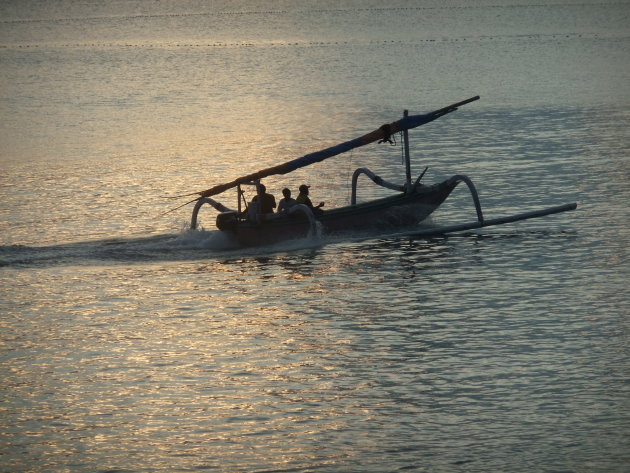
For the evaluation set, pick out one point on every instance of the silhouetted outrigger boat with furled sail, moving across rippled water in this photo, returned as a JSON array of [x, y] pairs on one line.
[[413, 202]]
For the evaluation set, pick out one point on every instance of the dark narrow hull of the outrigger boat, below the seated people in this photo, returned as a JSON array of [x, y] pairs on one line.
[[389, 213]]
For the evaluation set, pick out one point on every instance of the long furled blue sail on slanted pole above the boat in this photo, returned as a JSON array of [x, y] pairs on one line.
[[381, 133]]
